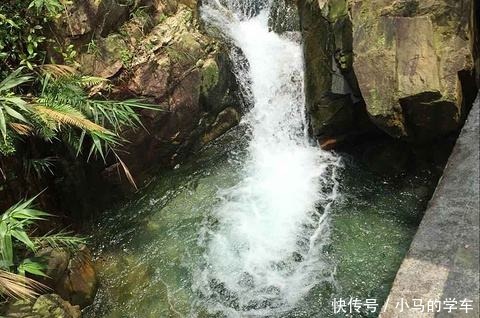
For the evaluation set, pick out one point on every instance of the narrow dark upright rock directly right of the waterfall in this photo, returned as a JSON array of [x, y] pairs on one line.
[[329, 80]]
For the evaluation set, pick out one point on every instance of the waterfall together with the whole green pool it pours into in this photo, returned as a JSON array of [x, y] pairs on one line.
[[263, 223]]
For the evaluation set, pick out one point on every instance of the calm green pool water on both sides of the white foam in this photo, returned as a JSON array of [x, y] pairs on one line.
[[148, 251]]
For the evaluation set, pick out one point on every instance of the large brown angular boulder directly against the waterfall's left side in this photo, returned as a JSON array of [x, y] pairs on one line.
[[187, 74]]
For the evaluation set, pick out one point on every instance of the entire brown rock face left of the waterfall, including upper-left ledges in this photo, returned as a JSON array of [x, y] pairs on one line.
[[159, 52]]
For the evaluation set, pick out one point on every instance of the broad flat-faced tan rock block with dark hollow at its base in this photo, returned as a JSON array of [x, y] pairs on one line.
[[408, 57]]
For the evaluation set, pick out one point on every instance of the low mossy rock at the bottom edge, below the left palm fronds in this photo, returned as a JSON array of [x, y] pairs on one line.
[[45, 306]]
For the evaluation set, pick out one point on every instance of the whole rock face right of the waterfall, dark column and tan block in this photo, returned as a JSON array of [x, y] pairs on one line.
[[412, 62]]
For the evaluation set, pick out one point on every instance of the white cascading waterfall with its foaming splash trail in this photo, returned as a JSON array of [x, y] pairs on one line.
[[264, 254]]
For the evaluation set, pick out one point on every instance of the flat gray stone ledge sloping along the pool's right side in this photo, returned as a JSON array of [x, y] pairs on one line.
[[443, 260]]
